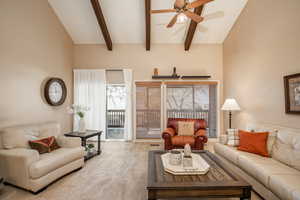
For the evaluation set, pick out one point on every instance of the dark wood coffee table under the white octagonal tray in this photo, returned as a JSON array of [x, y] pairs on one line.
[[218, 182]]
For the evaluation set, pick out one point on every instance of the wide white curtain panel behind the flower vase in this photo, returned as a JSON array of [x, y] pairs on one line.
[[90, 90]]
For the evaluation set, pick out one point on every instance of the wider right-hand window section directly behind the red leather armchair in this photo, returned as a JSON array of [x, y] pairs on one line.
[[194, 101]]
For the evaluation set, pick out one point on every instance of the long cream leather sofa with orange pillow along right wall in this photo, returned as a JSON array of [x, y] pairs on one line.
[[277, 177]]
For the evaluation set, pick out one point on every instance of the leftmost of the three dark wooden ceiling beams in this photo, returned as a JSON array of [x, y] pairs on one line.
[[102, 23]]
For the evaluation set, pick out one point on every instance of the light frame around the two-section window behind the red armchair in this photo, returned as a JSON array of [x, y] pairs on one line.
[[164, 110]]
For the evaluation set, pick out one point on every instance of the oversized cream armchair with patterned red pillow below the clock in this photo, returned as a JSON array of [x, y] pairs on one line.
[[26, 168]]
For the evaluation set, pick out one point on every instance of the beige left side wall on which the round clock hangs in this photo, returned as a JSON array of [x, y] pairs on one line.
[[33, 47]]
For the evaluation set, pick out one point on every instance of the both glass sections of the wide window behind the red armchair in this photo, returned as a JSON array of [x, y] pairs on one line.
[[157, 101]]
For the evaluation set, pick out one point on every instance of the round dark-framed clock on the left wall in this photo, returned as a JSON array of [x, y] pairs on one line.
[[55, 91]]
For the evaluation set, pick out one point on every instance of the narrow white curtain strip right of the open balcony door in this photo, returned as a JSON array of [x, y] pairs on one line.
[[128, 130]]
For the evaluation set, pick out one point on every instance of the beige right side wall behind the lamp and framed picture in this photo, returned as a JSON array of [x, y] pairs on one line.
[[263, 47]]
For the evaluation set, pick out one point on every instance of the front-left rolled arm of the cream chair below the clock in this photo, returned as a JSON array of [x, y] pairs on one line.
[[15, 163]]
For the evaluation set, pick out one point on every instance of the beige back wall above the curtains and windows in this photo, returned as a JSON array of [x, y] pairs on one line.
[[200, 60]]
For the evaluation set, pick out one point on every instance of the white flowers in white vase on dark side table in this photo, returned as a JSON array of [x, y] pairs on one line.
[[79, 111]]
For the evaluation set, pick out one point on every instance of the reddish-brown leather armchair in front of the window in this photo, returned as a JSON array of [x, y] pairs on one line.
[[174, 141]]
